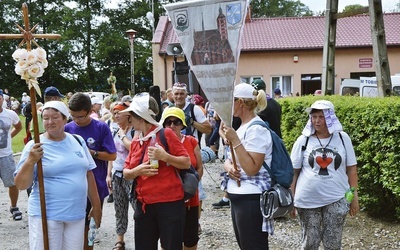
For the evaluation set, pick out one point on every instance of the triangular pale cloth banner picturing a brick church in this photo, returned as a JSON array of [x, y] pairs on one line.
[[210, 34]]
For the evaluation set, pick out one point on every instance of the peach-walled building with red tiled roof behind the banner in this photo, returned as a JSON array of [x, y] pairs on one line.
[[287, 52]]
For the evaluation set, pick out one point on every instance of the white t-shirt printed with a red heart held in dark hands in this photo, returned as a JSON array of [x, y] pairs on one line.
[[322, 182]]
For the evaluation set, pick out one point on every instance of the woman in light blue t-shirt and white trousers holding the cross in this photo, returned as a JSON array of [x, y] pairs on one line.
[[68, 180]]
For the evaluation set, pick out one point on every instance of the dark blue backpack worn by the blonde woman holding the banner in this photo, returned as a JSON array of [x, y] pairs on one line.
[[281, 169]]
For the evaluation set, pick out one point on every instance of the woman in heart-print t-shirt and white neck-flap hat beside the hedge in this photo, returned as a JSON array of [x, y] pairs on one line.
[[325, 168]]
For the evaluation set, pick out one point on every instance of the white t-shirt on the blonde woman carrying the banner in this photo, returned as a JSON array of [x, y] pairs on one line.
[[258, 140]]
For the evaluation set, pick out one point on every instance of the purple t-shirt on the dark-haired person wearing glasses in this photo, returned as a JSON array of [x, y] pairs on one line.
[[98, 137]]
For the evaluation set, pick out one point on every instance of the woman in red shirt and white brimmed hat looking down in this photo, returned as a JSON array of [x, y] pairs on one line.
[[159, 208]]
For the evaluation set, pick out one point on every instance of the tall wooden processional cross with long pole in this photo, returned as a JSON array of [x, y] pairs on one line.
[[28, 37]]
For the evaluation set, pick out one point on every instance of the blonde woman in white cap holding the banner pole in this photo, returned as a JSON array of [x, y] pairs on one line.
[[251, 229]]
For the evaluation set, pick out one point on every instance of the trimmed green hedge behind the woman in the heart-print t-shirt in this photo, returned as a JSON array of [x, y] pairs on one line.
[[374, 127]]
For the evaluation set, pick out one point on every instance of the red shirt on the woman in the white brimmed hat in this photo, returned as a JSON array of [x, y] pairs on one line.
[[166, 186]]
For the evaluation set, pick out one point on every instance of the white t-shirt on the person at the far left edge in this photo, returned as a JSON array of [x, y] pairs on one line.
[[8, 118]]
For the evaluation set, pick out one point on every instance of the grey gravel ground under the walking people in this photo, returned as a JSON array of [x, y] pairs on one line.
[[360, 232]]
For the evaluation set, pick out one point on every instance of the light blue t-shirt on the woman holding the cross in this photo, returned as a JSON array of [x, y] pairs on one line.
[[65, 165]]
